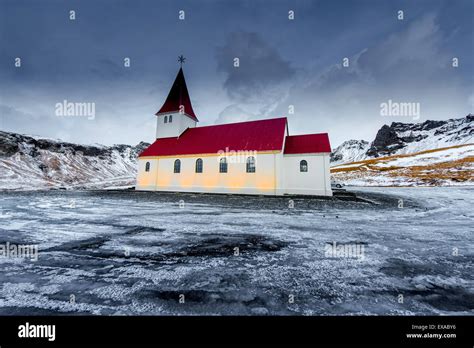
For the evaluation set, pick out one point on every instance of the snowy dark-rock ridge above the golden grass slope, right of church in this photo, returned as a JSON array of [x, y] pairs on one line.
[[407, 138]]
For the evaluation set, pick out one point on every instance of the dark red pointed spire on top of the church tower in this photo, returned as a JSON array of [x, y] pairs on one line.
[[178, 96]]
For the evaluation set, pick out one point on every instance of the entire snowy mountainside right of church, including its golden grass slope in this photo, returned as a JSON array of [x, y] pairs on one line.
[[432, 153]]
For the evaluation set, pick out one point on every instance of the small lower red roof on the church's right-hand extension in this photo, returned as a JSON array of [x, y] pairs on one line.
[[308, 143]]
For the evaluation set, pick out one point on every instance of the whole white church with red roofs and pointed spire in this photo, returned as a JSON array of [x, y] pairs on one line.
[[254, 157]]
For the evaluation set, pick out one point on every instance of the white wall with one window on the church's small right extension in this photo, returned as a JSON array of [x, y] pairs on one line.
[[316, 181]]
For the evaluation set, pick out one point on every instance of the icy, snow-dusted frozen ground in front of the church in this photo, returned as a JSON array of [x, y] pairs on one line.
[[135, 253]]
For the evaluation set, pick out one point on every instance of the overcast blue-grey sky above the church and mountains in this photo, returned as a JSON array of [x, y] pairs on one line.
[[284, 63]]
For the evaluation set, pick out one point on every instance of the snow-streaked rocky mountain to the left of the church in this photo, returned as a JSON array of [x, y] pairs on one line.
[[28, 162]]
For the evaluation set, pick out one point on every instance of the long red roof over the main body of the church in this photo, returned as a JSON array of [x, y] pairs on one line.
[[262, 135]]
